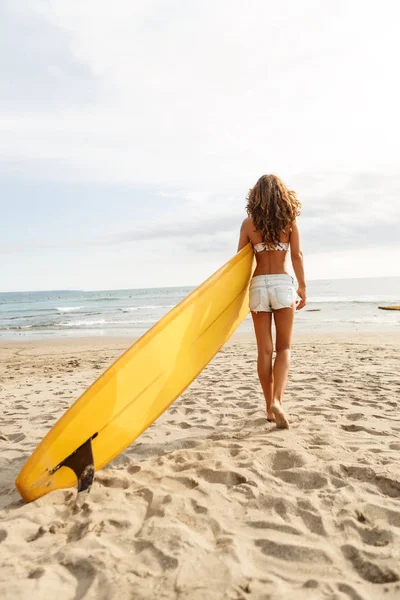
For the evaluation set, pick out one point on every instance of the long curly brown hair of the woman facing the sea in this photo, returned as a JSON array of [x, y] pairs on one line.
[[272, 207]]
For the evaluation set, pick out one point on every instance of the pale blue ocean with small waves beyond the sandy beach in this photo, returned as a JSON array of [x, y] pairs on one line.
[[334, 306]]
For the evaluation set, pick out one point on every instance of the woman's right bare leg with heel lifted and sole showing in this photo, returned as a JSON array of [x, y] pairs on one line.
[[284, 327]]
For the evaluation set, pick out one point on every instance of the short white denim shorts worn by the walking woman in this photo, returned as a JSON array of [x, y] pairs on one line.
[[272, 292]]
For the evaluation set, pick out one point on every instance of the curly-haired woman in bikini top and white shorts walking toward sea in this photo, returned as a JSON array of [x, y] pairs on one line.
[[272, 229]]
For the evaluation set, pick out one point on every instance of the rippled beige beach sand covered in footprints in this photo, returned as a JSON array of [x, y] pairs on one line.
[[212, 501]]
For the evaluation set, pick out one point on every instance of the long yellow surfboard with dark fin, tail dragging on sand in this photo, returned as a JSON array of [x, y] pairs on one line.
[[141, 384]]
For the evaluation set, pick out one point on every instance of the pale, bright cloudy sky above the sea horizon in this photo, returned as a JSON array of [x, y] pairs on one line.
[[131, 132]]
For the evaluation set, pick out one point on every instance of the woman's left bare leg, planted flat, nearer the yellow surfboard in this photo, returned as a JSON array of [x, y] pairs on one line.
[[262, 327]]
